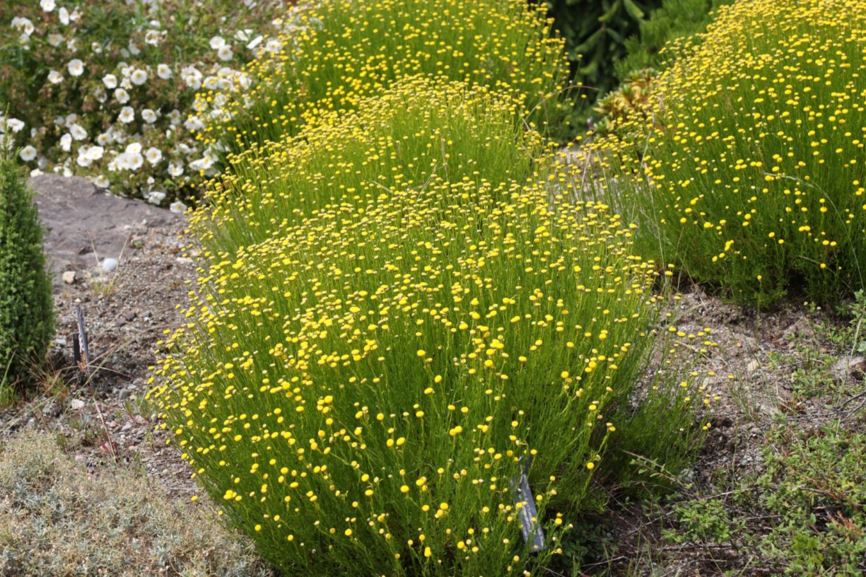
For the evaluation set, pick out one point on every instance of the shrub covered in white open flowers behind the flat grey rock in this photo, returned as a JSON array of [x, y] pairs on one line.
[[107, 90]]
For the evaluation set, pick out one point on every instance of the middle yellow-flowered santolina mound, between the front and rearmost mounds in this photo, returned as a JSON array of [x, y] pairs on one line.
[[418, 132]]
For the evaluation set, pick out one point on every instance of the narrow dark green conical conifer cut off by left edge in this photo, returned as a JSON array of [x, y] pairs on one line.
[[26, 317]]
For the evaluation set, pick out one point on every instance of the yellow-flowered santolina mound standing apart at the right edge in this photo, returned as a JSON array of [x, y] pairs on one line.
[[751, 157]]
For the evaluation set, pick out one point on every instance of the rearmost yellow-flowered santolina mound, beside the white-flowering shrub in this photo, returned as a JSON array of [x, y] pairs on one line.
[[340, 51]]
